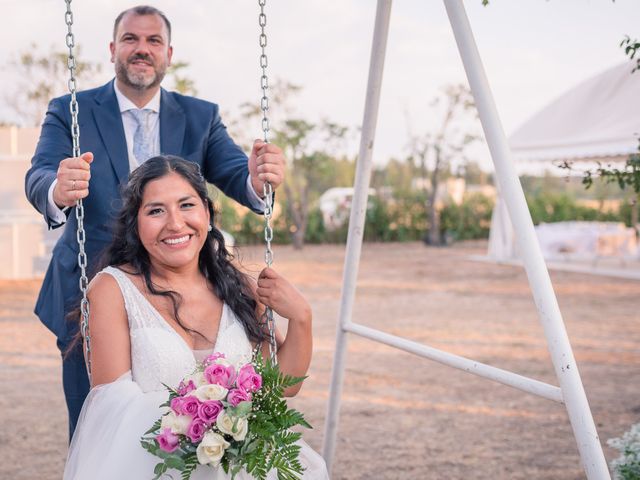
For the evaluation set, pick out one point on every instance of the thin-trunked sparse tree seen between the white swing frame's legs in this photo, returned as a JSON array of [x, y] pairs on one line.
[[434, 152]]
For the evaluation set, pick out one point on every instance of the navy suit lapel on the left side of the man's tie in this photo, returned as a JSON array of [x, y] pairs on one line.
[[109, 122]]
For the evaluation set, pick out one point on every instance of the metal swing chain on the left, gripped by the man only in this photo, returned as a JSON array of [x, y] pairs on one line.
[[80, 233]]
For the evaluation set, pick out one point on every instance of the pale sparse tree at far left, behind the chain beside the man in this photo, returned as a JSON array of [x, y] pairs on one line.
[[41, 77]]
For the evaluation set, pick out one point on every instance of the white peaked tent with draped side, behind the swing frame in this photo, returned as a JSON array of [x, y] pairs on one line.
[[596, 120]]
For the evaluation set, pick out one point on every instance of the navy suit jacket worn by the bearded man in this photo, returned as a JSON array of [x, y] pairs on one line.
[[189, 127]]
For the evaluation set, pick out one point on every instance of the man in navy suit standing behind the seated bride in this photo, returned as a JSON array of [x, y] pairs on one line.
[[122, 124]]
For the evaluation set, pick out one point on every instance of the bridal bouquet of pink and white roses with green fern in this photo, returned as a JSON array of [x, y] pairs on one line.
[[233, 416]]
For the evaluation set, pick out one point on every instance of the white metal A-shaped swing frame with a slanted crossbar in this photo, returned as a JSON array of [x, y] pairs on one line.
[[571, 391]]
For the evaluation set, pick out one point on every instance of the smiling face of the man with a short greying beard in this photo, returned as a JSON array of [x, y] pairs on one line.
[[141, 51]]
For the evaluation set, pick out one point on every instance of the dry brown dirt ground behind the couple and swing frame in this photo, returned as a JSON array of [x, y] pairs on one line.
[[401, 416]]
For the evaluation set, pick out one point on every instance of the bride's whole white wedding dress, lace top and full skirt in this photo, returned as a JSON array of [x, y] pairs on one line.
[[106, 443]]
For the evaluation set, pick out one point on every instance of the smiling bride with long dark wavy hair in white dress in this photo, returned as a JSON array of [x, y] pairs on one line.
[[168, 297]]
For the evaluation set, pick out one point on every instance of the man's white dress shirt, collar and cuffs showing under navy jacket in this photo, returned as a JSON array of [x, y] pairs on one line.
[[57, 215]]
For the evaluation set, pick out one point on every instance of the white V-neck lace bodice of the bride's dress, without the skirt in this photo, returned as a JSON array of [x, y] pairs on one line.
[[159, 355]]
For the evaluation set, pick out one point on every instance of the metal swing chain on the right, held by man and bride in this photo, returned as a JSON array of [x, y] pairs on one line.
[[267, 190]]
